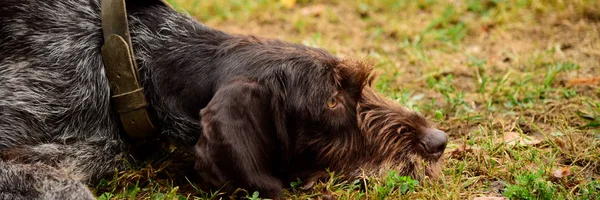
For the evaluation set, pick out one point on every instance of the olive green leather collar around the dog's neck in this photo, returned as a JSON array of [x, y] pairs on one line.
[[127, 95]]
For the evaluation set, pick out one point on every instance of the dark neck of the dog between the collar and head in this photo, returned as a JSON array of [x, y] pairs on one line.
[[166, 52]]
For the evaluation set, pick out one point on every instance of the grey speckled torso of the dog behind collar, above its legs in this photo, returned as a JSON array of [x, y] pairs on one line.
[[51, 71]]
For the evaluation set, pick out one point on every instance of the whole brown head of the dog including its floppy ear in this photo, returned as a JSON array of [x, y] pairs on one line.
[[286, 111]]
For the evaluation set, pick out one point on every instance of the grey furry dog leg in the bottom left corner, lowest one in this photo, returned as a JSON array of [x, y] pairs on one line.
[[39, 181]]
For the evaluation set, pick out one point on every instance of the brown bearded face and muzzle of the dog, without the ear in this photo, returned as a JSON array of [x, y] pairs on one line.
[[337, 121]]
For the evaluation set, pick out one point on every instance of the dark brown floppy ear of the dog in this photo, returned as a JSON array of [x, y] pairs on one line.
[[239, 139]]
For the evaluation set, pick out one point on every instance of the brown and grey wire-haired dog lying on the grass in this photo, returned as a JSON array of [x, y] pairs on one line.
[[257, 112]]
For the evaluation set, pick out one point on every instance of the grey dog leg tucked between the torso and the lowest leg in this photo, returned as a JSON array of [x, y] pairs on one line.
[[88, 160]]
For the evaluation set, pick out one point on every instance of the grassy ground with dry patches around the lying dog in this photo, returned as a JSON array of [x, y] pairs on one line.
[[515, 84]]
